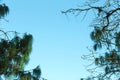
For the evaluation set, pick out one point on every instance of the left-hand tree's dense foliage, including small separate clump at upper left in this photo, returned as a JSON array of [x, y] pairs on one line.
[[14, 54]]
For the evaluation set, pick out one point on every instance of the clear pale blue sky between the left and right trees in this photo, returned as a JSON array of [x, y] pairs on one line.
[[59, 40]]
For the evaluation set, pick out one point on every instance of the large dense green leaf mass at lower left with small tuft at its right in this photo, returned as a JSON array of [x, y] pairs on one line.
[[14, 55]]
